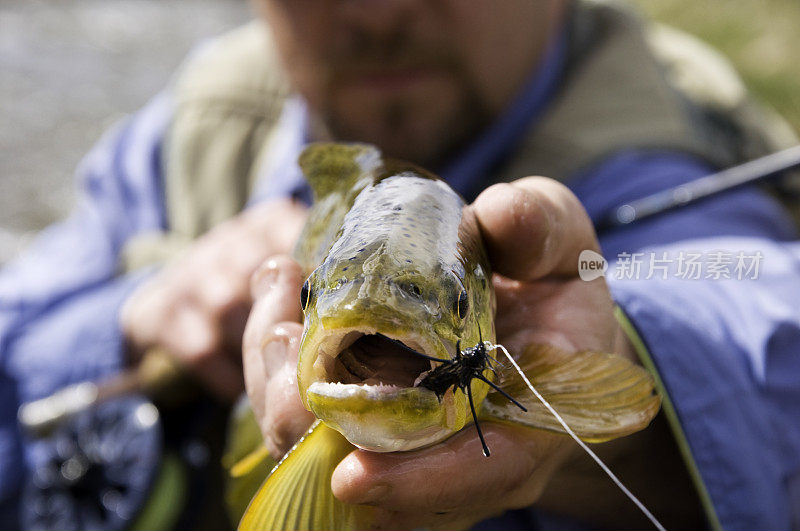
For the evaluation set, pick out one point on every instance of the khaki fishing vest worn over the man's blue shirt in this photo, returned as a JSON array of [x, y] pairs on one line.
[[626, 86]]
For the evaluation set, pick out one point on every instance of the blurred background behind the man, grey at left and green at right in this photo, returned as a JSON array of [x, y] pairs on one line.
[[70, 68]]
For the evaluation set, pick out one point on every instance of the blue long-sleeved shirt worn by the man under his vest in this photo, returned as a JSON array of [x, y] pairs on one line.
[[726, 350]]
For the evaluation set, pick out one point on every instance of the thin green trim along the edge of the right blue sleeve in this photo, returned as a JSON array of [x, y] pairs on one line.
[[672, 416]]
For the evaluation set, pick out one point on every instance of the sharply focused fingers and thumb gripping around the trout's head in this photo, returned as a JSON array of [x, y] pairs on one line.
[[534, 230]]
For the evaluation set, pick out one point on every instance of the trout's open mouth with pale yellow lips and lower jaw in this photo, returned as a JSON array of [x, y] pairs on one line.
[[366, 385]]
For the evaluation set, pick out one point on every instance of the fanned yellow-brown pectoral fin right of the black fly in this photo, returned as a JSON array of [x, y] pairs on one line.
[[600, 396]]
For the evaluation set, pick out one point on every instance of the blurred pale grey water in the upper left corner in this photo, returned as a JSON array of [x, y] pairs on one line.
[[68, 70]]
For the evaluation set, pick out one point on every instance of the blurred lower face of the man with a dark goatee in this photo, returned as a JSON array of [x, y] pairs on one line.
[[415, 77]]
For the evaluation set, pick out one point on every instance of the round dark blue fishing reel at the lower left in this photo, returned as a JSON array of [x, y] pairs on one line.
[[99, 470]]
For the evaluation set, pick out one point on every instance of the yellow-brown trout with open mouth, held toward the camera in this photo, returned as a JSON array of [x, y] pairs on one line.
[[396, 264]]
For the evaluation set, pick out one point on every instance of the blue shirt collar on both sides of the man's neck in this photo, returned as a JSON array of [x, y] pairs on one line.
[[467, 173]]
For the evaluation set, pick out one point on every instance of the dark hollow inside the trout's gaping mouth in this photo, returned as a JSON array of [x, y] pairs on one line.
[[374, 360]]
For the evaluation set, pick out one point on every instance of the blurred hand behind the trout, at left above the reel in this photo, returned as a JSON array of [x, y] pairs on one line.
[[197, 306]]
